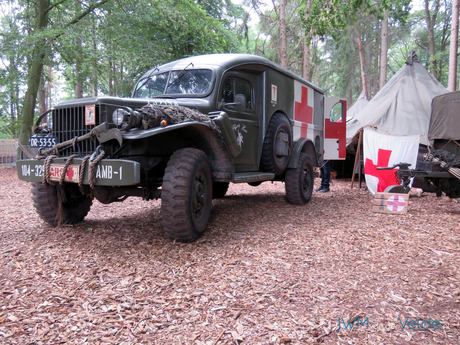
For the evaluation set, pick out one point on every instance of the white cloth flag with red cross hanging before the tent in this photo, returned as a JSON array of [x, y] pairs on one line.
[[381, 150]]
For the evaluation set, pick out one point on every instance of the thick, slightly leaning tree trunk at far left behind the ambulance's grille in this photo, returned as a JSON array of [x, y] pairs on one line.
[[35, 72]]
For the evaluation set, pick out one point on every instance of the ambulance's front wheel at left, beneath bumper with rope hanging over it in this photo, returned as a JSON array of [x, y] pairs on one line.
[[45, 199]]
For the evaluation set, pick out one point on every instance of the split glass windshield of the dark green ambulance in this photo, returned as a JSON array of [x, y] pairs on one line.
[[198, 81]]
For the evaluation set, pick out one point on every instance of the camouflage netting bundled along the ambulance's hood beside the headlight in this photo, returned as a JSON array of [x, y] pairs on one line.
[[153, 115]]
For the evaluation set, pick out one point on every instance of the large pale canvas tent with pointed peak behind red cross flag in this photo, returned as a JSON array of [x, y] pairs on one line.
[[402, 106]]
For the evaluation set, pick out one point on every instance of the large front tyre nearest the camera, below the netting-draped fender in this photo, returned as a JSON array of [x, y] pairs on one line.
[[186, 195]]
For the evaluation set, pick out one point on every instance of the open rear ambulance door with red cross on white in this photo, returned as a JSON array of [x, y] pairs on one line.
[[335, 128]]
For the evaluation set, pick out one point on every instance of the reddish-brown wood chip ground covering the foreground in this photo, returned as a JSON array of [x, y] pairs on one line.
[[265, 272]]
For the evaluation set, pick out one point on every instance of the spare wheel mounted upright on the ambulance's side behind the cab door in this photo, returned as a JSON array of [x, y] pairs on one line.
[[276, 149]]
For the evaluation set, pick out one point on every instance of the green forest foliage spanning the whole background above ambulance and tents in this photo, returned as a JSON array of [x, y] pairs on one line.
[[109, 48]]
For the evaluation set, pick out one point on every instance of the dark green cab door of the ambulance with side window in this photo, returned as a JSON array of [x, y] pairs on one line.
[[245, 124]]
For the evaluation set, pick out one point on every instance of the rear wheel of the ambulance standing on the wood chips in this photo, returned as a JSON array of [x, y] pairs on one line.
[[299, 181]]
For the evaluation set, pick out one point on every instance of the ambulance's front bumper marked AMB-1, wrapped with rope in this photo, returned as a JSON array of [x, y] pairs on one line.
[[109, 172]]
